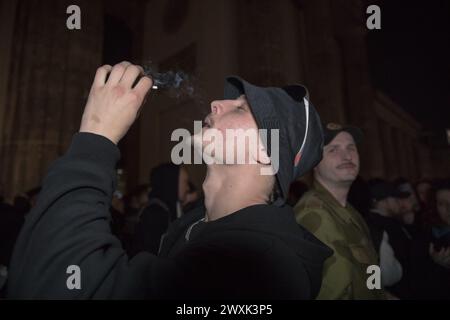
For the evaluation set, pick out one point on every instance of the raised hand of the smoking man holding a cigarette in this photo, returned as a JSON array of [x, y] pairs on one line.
[[113, 102]]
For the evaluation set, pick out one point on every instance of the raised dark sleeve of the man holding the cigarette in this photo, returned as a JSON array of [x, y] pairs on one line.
[[70, 226]]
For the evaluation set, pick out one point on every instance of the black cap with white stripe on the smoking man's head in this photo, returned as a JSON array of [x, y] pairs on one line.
[[288, 110]]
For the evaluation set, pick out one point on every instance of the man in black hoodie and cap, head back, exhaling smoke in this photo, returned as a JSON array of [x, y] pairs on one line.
[[247, 243]]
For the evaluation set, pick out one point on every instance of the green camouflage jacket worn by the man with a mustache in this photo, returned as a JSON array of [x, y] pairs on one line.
[[343, 230]]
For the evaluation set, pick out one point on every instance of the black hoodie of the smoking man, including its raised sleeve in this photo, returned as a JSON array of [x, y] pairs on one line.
[[69, 226]]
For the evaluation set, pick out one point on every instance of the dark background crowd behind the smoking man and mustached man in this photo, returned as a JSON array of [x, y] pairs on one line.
[[415, 215]]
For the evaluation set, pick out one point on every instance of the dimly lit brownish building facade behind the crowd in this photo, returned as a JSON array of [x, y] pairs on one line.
[[46, 71]]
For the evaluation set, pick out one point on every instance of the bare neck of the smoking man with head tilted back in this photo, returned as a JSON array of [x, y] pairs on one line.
[[231, 188]]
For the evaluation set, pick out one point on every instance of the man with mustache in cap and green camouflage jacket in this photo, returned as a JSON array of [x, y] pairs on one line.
[[325, 211]]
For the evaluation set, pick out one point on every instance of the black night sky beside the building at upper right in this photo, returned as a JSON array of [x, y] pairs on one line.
[[410, 59]]
